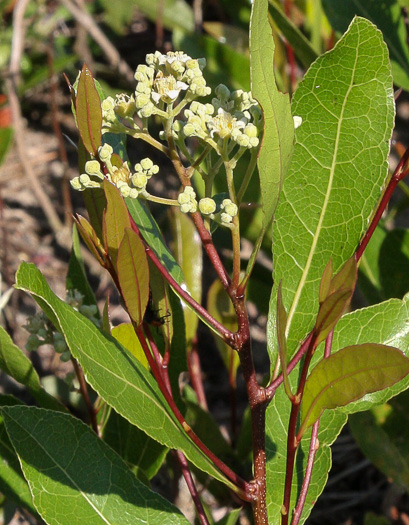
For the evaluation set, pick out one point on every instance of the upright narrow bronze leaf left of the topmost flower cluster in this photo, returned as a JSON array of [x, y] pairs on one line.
[[89, 112]]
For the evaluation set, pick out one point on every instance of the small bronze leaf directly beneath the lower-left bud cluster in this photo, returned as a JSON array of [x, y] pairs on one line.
[[116, 219]]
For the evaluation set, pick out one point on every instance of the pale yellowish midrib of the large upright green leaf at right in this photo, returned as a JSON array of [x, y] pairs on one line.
[[314, 243]]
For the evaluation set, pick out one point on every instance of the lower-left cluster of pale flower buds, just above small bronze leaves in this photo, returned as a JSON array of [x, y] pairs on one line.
[[129, 184]]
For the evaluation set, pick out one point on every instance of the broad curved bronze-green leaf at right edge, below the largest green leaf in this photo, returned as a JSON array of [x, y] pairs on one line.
[[348, 375]]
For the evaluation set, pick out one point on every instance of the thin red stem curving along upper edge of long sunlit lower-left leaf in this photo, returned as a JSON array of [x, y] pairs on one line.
[[243, 488]]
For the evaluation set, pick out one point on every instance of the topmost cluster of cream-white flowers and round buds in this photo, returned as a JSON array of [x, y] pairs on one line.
[[164, 77]]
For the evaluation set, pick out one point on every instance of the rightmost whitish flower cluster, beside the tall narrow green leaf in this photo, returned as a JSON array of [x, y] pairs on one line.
[[238, 118]]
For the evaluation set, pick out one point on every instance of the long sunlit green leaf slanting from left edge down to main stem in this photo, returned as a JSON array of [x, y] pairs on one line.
[[113, 373]]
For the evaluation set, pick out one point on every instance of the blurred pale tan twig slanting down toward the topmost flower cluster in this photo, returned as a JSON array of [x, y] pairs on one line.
[[92, 28]]
